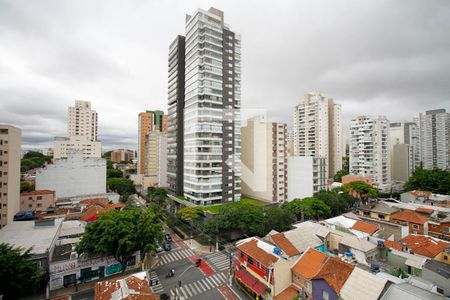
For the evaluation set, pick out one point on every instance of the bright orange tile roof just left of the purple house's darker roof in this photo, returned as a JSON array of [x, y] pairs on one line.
[[310, 263]]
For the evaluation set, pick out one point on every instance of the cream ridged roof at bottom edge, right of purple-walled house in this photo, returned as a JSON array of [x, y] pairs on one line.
[[363, 285]]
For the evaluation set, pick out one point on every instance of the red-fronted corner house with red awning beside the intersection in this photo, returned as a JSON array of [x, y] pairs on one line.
[[258, 263]]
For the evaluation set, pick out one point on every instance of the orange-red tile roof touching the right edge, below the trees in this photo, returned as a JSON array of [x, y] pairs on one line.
[[425, 245]]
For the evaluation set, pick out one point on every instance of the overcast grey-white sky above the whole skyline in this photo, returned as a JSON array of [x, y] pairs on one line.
[[373, 57]]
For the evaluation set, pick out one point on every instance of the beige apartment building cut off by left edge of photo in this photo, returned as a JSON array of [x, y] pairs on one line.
[[10, 143]]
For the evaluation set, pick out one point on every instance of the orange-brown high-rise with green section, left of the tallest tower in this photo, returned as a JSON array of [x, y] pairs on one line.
[[149, 121]]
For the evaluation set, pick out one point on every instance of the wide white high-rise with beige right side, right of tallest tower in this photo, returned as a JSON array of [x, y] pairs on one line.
[[318, 130]]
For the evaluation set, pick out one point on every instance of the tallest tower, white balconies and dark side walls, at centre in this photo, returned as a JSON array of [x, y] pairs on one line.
[[212, 101]]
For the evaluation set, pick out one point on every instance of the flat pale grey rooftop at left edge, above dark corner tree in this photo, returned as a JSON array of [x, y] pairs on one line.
[[25, 234]]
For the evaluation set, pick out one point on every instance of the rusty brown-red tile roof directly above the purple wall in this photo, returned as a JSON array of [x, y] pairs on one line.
[[335, 272]]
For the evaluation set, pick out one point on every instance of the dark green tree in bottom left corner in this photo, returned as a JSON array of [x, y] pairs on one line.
[[18, 275]]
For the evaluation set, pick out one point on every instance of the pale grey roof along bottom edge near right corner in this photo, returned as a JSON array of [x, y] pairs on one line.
[[406, 291]]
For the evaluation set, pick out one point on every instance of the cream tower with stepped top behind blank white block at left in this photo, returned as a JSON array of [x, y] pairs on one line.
[[82, 120]]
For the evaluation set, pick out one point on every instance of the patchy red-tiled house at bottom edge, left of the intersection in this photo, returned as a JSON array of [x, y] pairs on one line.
[[132, 287]]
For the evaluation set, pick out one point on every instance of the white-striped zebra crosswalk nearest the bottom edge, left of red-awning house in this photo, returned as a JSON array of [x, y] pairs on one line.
[[192, 289]]
